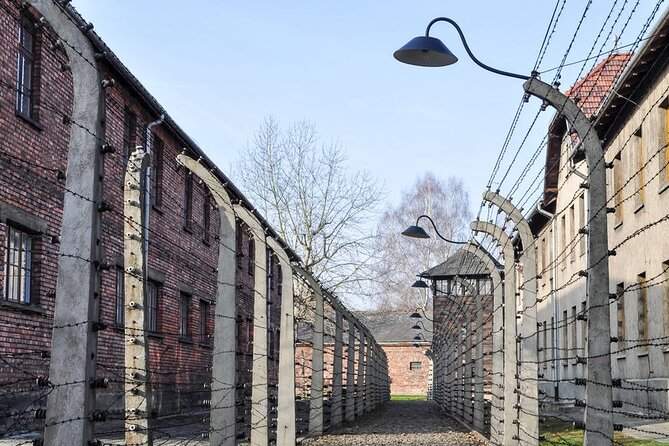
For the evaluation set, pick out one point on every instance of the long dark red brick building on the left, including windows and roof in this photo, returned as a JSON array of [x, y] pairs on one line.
[[36, 97]]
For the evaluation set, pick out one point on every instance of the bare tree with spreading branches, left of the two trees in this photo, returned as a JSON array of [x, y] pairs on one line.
[[320, 208]]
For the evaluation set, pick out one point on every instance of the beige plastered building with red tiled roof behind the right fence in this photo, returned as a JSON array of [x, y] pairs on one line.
[[627, 98]]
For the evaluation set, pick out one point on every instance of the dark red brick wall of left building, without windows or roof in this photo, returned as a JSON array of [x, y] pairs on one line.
[[30, 157]]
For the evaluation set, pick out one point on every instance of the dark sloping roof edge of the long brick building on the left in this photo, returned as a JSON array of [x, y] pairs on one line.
[[152, 103]]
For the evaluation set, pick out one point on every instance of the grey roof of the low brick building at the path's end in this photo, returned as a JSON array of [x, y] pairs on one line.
[[395, 326]]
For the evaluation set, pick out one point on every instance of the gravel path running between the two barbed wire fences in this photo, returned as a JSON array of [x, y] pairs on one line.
[[418, 423]]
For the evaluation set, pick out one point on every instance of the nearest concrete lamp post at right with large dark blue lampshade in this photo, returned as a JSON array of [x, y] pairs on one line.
[[431, 52]]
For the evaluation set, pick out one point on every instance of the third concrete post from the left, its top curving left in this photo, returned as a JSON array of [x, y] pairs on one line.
[[223, 372]]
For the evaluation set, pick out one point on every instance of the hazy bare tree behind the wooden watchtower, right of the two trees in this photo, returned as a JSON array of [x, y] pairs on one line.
[[402, 257]]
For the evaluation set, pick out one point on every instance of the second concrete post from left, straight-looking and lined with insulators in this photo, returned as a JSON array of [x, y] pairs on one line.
[[136, 346]]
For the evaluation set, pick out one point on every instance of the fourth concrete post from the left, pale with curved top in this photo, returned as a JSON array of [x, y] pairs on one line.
[[260, 384]]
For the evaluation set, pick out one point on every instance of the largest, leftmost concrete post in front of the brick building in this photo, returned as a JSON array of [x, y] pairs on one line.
[[74, 344]]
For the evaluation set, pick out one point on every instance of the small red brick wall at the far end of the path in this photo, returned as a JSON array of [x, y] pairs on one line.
[[404, 381]]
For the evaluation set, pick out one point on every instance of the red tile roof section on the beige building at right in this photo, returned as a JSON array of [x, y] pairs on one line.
[[594, 88]]
